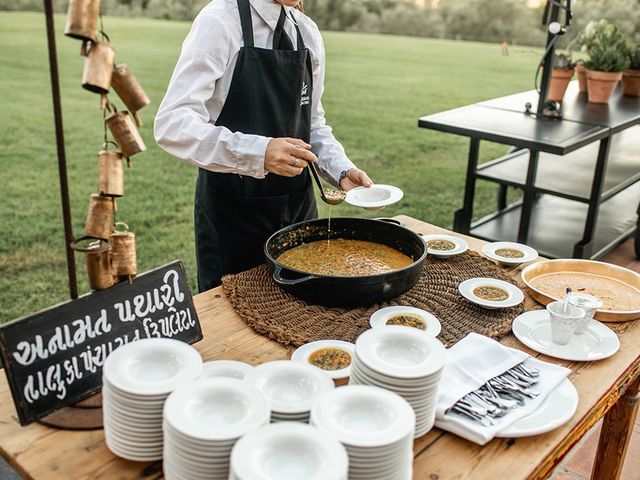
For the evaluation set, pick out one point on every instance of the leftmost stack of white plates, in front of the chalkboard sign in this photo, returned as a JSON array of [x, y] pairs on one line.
[[137, 378]]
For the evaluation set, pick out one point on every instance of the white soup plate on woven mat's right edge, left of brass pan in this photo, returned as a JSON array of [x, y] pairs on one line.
[[491, 293]]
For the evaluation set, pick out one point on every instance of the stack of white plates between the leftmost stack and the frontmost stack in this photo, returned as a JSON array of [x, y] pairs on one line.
[[202, 422]]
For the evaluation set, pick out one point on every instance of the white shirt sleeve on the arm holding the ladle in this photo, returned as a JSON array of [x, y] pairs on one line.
[[183, 125]]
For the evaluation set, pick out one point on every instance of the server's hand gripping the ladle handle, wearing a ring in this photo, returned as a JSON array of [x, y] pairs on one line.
[[287, 156]]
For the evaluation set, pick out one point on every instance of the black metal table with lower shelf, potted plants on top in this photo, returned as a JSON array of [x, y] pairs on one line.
[[580, 175]]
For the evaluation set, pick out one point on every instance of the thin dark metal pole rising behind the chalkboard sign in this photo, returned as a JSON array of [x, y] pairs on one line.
[[62, 161]]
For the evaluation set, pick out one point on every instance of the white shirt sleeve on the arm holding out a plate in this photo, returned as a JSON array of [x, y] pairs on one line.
[[332, 158]]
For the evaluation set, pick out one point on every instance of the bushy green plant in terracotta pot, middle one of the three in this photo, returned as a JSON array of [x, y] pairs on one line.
[[608, 56]]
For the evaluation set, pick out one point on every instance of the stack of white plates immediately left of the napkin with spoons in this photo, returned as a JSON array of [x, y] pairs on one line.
[[405, 361]]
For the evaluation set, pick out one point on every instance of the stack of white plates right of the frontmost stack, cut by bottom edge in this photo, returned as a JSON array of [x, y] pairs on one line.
[[376, 427]]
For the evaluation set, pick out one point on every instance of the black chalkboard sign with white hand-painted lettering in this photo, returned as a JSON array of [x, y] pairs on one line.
[[54, 358]]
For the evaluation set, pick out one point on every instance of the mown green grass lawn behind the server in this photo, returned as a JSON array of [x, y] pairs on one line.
[[376, 88]]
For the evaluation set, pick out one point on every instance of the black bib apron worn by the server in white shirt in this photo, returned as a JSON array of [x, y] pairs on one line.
[[270, 95]]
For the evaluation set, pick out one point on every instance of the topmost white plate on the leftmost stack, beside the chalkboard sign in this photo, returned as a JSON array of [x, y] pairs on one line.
[[152, 366]]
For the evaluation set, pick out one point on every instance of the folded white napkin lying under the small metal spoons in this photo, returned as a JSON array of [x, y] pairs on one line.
[[470, 364]]
